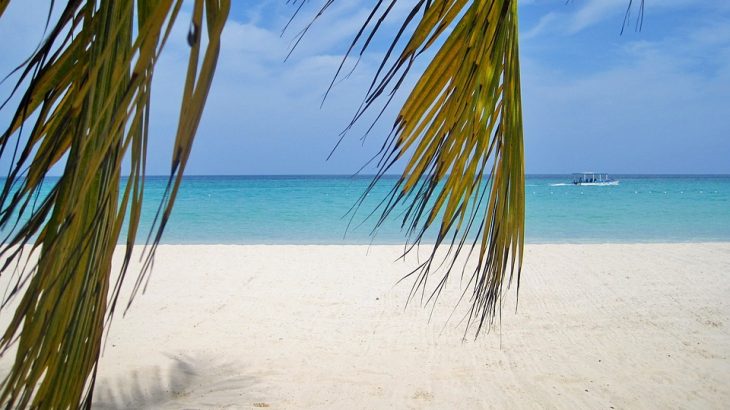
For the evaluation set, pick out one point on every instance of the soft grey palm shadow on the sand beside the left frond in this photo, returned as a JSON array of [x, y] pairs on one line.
[[187, 382]]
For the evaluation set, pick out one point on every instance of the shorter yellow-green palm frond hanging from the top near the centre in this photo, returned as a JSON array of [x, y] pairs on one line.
[[460, 135]]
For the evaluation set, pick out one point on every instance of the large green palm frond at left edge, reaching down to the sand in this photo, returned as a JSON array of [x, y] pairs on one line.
[[84, 96]]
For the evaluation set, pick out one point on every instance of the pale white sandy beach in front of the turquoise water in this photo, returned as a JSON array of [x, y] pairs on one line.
[[598, 326]]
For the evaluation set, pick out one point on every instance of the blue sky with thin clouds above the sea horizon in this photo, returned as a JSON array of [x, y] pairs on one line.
[[654, 101]]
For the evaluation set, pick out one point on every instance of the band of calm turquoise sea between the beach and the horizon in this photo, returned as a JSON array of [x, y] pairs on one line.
[[313, 210]]
